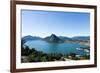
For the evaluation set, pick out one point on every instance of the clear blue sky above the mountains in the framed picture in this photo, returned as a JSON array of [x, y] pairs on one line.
[[45, 23]]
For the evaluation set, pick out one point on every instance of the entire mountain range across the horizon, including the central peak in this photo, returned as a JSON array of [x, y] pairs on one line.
[[55, 39]]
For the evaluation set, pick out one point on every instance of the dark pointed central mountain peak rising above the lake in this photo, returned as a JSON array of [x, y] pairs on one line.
[[53, 39]]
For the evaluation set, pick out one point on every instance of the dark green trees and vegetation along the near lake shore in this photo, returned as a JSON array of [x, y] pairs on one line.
[[32, 55]]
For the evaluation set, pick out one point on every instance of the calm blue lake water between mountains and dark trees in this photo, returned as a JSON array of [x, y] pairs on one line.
[[63, 48]]
